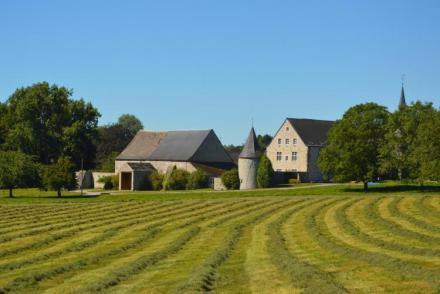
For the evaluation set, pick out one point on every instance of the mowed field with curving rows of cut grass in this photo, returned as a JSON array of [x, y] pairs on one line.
[[308, 244]]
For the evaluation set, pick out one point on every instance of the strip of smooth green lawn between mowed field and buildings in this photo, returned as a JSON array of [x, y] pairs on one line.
[[388, 188]]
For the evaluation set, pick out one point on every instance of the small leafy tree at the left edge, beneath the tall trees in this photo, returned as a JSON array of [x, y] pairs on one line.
[[17, 170]]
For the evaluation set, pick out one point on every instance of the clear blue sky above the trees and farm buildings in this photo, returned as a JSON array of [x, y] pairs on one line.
[[217, 64]]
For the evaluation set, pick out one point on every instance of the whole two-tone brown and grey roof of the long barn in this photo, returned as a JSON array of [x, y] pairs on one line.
[[192, 146]]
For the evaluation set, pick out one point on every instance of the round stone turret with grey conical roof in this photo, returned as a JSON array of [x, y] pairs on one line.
[[248, 163]]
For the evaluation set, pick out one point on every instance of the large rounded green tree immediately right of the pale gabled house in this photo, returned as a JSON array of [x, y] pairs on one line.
[[352, 149]]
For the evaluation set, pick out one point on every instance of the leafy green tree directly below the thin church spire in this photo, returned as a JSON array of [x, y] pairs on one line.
[[399, 143]]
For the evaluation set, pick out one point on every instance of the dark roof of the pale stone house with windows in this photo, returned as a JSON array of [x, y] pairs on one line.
[[313, 132]]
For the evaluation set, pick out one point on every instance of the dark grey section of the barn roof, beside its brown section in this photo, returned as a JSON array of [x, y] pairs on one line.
[[179, 145]]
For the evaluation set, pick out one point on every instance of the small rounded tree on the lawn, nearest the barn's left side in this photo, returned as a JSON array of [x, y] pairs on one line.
[[59, 175]]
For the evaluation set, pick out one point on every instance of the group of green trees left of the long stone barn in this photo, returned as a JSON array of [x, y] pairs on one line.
[[45, 136]]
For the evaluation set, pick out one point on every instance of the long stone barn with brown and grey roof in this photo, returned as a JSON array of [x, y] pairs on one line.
[[162, 151]]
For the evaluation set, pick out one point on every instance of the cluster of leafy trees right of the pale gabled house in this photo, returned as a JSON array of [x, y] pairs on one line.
[[370, 143]]
